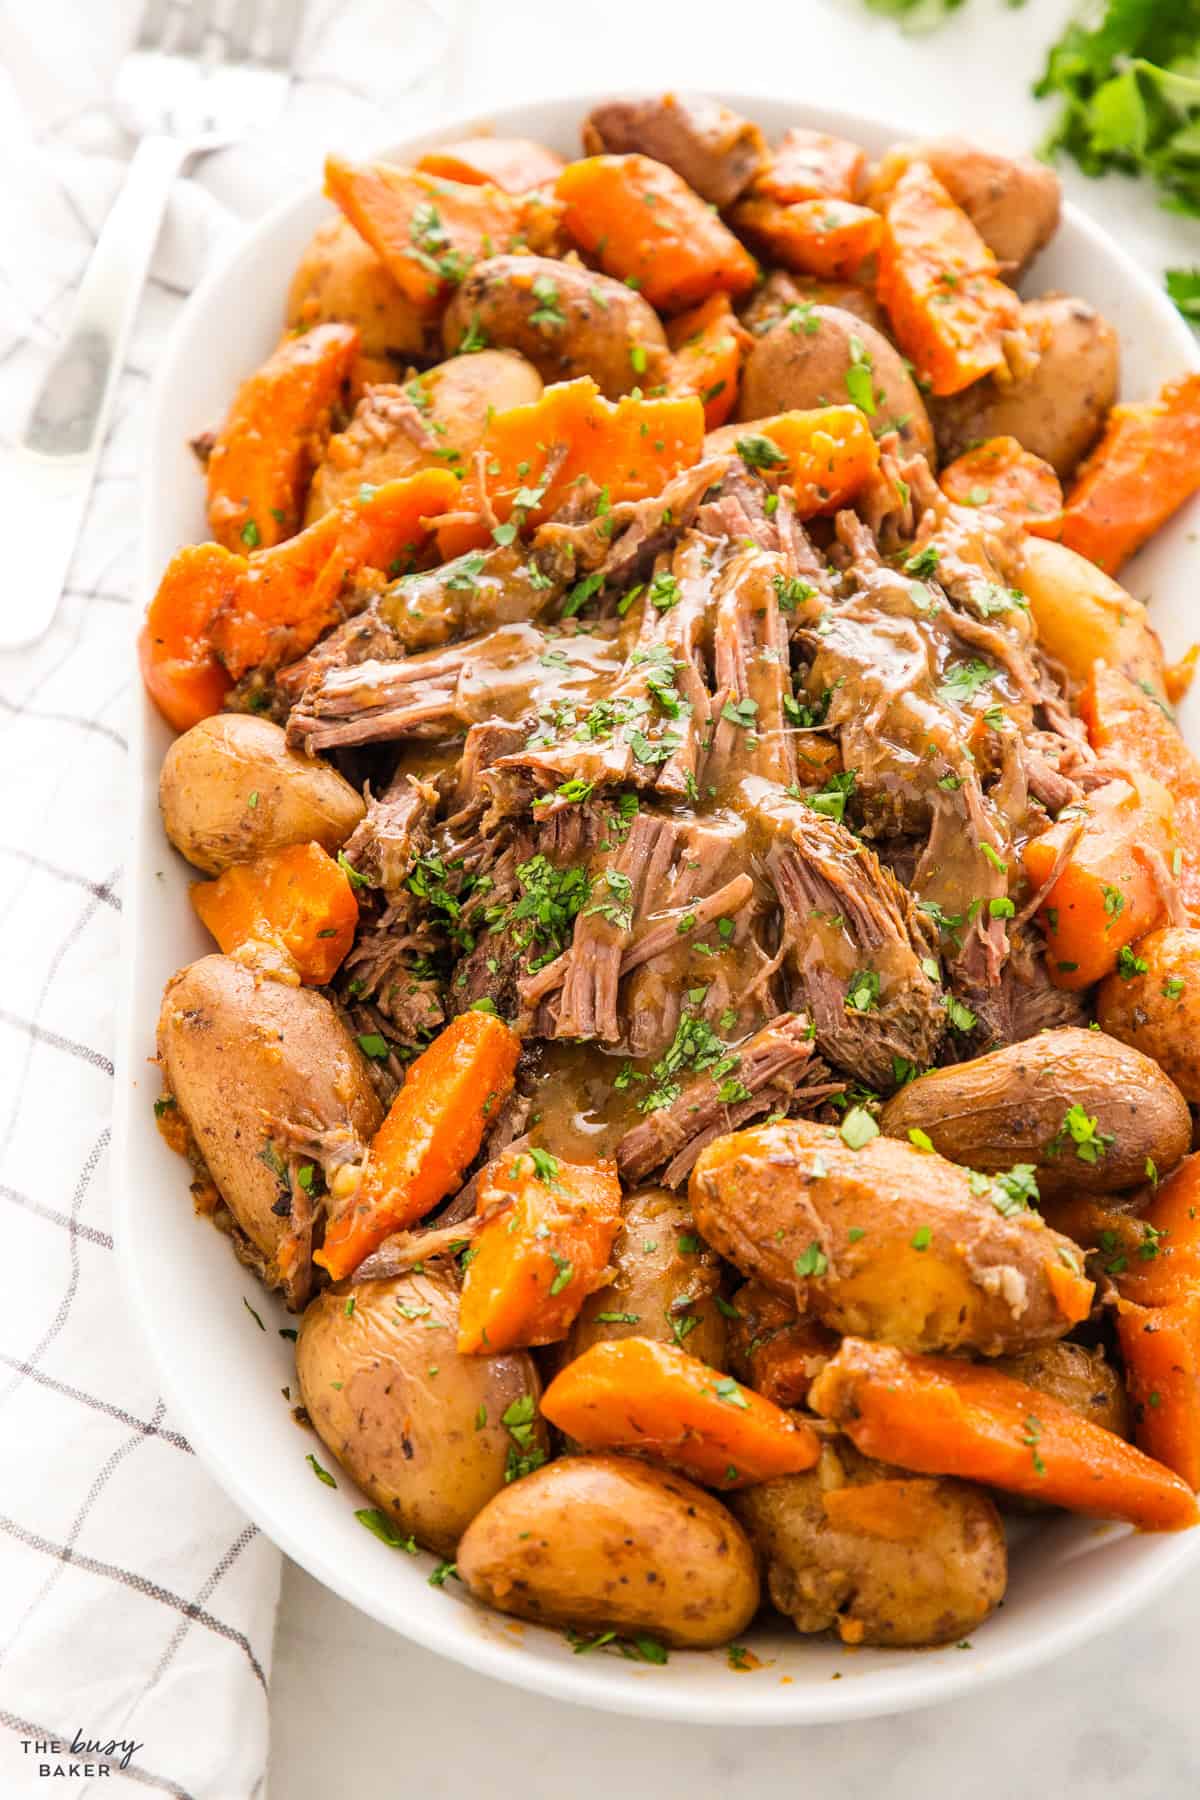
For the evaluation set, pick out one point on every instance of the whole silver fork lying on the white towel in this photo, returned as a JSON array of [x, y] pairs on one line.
[[199, 78]]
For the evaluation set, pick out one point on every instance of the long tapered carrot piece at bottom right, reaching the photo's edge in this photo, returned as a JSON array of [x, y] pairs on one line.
[[938, 1416]]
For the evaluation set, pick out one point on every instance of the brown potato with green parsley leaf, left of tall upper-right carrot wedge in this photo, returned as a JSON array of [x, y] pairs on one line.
[[809, 368]]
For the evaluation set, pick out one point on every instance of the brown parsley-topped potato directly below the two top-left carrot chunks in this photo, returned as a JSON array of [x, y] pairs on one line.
[[602, 321]]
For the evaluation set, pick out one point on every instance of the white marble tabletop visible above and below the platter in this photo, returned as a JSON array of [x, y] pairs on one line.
[[357, 1711]]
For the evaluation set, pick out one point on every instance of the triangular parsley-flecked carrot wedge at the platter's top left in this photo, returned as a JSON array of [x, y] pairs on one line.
[[429, 231]]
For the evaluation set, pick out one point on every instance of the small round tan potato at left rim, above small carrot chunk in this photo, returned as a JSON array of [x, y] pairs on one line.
[[231, 789]]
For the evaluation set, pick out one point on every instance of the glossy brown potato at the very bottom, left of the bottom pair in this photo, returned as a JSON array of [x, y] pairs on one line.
[[605, 1543]]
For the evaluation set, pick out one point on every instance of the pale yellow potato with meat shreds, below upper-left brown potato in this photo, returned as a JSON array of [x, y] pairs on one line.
[[436, 420]]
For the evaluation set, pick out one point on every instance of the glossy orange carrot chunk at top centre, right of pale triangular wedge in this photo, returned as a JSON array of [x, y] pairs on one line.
[[643, 224]]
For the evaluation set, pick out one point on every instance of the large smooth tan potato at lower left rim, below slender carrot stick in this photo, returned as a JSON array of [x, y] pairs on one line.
[[427, 1434]]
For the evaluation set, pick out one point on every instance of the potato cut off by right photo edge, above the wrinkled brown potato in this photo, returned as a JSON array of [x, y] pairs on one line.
[[1156, 1007]]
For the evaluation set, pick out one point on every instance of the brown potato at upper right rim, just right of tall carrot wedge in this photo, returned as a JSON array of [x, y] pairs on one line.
[[1059, 409]]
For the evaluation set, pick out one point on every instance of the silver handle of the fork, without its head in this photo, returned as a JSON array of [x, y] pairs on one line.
[[48, 478]]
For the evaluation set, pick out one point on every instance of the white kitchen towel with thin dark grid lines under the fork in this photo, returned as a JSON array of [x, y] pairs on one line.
[[136, 1603]]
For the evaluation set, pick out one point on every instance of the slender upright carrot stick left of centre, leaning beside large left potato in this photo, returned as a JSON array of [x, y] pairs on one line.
[[429, 1138]]
